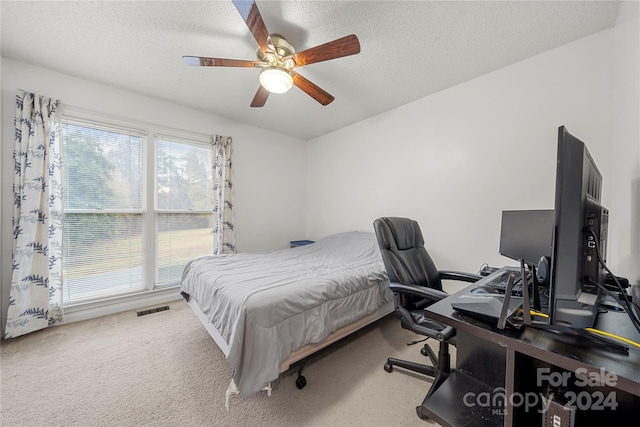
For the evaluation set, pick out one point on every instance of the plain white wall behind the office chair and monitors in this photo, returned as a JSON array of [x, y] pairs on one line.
[[454, 160]]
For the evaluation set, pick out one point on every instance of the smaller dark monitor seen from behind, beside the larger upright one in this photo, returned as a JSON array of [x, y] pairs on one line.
[[527, 235]]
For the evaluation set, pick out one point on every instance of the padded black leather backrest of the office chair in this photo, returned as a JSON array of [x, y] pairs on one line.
[[403, 253]]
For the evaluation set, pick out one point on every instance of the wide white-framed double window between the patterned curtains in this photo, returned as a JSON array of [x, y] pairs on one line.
[[117, 240]]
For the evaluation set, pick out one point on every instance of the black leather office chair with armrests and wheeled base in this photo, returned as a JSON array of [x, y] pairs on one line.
[[417, 283]]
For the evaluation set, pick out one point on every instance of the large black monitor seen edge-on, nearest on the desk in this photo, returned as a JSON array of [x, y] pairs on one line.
[[575, 269]]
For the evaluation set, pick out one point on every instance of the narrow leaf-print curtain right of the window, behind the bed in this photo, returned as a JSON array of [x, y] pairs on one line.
[[223, 229]]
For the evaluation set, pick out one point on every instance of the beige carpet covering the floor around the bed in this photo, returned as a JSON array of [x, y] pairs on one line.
[[163, 369]]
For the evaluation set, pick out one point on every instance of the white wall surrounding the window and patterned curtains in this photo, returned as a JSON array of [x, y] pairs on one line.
[[269, 192]]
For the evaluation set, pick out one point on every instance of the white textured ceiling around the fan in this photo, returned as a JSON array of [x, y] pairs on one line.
[[408, 49]]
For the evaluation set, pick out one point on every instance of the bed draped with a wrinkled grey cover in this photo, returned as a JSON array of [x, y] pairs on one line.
[[268, 310]]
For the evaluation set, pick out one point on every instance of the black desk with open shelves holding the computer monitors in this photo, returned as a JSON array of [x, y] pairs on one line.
[[502, 375]]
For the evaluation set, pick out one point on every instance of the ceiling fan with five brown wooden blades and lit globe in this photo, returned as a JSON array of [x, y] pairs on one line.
[[278, 58]]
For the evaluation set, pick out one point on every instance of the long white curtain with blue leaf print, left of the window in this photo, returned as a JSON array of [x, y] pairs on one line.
[[36, 282]]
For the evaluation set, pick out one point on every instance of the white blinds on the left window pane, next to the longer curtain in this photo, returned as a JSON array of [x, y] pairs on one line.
[[104, 208]]
